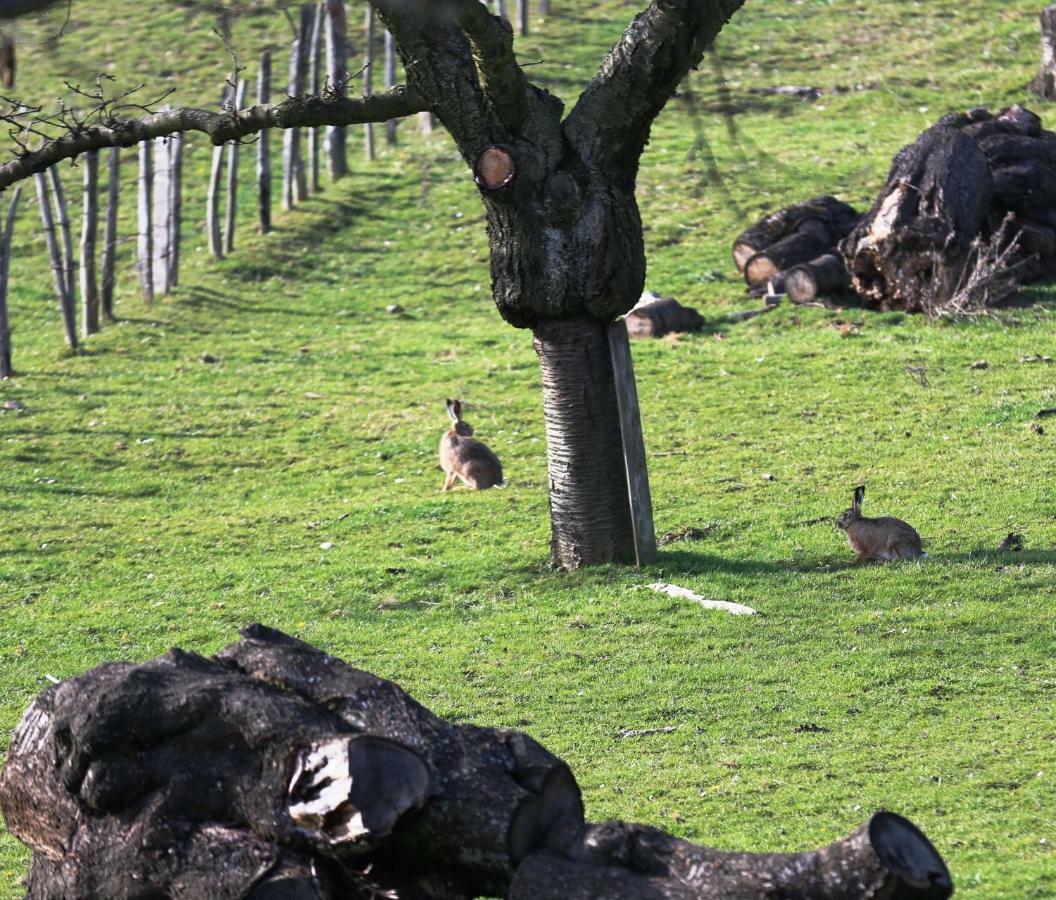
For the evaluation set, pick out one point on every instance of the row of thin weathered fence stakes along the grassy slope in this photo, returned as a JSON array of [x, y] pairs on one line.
[[160, 201]]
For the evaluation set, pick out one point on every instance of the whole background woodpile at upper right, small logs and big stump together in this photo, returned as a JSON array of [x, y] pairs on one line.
[[972, 201]]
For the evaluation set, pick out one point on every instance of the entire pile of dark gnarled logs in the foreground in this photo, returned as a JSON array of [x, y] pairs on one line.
[[274, 771]]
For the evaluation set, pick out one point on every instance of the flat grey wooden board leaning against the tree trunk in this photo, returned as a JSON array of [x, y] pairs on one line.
[[634, 444]]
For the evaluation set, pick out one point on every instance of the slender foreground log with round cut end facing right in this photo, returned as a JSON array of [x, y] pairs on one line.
[[887, 857]]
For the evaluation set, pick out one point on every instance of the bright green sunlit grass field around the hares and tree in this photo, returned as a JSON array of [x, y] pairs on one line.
[[150, 500]]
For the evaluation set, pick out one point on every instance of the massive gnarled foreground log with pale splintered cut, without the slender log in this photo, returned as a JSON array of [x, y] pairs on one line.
[[188, 777]]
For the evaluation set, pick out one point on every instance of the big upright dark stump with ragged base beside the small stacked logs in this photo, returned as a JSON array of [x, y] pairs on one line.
[[911, 251]]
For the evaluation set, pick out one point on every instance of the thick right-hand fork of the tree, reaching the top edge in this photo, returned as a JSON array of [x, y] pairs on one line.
[[611, 122]]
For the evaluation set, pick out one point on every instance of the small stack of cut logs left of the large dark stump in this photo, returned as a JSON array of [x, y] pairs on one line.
[[795, 250]]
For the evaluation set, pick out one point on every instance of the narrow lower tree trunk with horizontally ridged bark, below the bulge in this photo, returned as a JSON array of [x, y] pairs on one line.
[[590, 510]]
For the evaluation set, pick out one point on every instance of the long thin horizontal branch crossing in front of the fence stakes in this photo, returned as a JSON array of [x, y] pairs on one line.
[[296, 112]]
